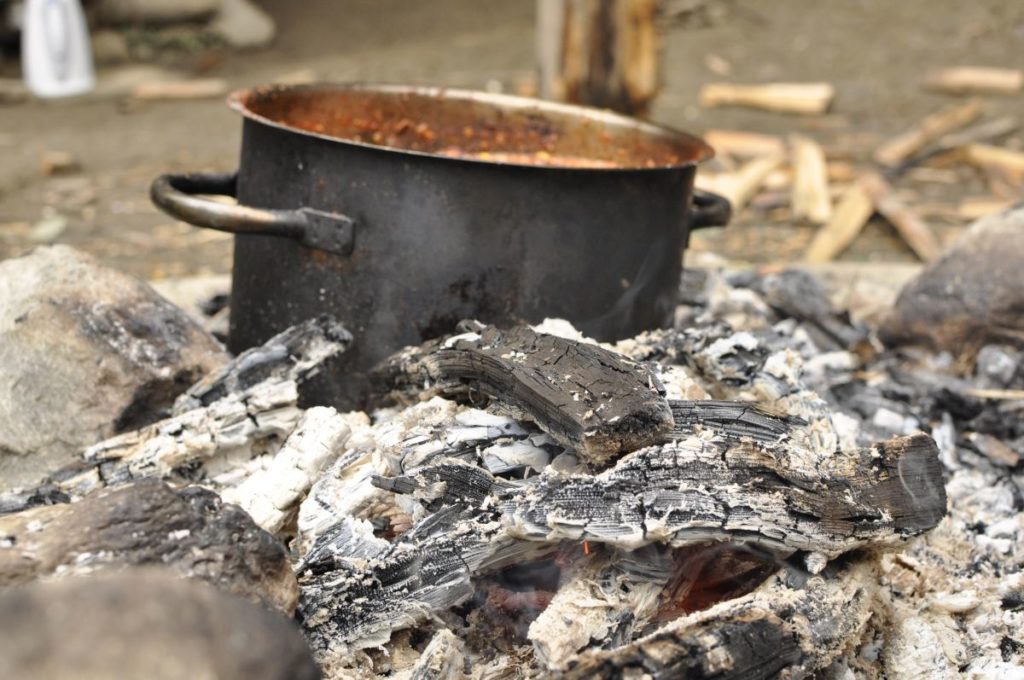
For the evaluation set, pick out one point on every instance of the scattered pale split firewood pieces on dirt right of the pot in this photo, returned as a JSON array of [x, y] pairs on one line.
[[959, 151]]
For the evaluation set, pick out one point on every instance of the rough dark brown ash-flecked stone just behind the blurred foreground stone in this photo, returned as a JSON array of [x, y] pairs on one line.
[[190, 531]]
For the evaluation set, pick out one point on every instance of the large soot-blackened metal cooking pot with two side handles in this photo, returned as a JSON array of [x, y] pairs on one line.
[[403, 210]]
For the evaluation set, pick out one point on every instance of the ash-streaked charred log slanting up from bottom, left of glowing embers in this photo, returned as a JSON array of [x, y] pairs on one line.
[[356, 591]]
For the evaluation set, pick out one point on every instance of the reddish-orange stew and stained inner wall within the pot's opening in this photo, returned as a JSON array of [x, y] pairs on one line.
[[475, 126]]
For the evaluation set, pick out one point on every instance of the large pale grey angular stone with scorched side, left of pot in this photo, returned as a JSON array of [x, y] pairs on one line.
[[86, 353]]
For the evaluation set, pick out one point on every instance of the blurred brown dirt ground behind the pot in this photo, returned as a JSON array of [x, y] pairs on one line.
[[875, 52]]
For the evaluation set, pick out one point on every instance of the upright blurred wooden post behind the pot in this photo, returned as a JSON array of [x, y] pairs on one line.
[[599, 53]]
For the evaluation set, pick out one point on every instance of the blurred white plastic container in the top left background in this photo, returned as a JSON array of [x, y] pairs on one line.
[[57, 58]]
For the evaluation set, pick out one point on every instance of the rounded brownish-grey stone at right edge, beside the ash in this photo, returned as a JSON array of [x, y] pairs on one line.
[[974, 295]]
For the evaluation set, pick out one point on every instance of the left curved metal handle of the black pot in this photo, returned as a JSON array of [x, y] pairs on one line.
[[179, 197]]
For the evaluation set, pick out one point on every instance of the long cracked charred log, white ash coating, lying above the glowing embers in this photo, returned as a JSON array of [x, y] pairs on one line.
[[698, 490]]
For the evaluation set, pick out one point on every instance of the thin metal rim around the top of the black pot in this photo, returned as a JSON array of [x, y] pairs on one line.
[[239, 102]]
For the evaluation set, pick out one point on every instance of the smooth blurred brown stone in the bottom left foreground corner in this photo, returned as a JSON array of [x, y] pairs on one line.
[[145, 623]]
